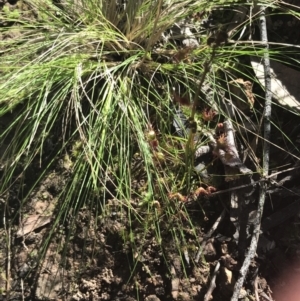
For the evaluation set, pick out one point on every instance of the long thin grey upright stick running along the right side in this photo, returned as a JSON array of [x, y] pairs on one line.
[[266, 152]]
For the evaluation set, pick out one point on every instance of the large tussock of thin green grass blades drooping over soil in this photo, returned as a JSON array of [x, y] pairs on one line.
[[88, 86]]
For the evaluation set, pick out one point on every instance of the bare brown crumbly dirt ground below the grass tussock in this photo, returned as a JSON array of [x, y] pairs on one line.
[[97, 259]]
